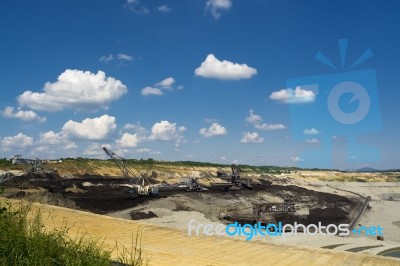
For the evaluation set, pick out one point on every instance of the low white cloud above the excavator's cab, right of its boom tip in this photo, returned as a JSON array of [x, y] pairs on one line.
[[166, 131]]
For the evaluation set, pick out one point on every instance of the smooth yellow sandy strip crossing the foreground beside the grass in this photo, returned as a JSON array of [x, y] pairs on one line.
[[169, 246]]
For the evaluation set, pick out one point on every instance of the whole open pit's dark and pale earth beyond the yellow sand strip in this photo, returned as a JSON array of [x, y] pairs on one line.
[[315, 200]]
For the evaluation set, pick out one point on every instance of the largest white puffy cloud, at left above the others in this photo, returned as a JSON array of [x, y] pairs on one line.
[[75, 89]]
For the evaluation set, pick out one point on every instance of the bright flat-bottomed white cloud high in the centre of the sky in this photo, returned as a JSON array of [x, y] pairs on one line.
[[226, 70]]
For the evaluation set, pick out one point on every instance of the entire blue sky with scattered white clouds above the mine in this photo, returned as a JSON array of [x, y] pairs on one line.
[[205, 80]]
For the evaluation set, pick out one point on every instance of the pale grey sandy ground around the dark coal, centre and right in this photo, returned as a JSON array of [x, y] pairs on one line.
[[385, 206]]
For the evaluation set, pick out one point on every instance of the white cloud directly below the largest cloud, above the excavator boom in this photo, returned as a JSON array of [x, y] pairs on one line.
[[90, 128]]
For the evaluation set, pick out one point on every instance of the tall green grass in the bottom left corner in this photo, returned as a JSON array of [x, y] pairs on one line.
[[24, 241]]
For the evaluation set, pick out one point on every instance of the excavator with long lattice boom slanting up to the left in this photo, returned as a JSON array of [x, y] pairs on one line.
[[143, 185]]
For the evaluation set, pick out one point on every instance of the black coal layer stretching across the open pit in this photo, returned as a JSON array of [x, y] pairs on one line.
[[106, 194]]
